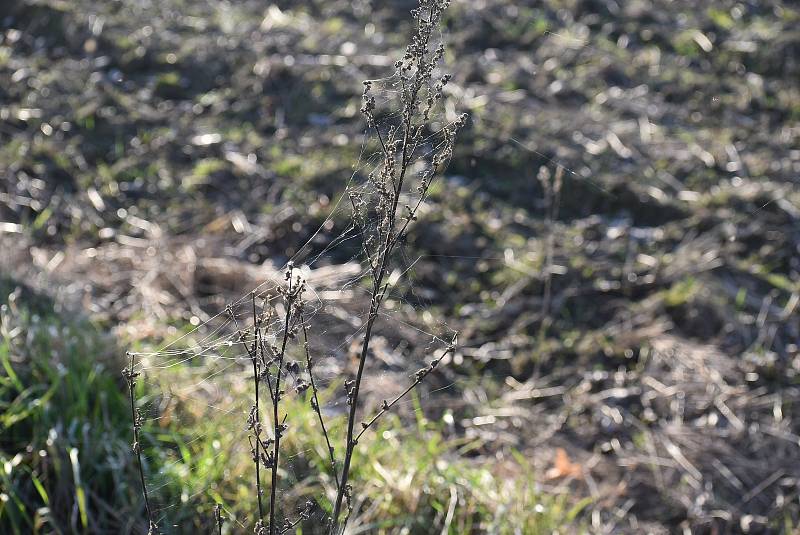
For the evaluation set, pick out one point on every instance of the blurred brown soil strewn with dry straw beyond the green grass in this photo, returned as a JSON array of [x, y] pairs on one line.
[[160, 158]]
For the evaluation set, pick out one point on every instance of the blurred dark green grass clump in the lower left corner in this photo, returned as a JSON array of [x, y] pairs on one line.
[[64, 445]]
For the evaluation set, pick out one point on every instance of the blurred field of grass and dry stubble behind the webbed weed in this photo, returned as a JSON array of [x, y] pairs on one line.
[[628, 347]]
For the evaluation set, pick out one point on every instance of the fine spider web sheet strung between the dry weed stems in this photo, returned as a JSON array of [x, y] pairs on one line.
[[196, 392]]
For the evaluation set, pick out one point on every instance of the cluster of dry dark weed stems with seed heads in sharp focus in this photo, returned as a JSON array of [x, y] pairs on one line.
[[415, 143]]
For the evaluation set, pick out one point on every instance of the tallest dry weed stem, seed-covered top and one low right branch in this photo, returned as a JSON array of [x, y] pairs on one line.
[[420, 92]]
